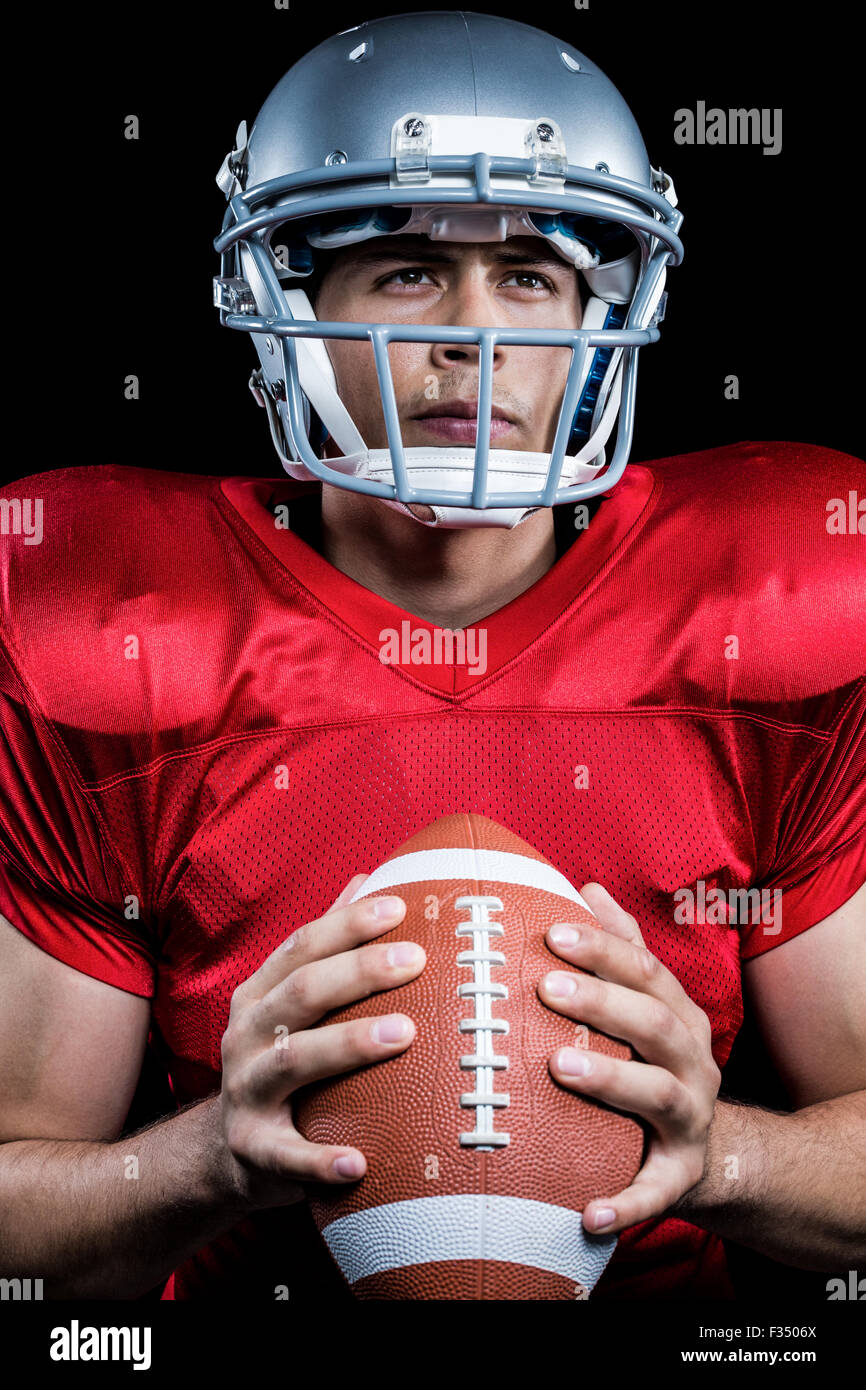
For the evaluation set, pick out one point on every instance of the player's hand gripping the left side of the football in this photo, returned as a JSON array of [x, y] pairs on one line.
[[272, 1047]]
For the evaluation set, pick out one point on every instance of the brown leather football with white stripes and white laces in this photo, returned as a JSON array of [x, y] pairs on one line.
[[479, 1163]]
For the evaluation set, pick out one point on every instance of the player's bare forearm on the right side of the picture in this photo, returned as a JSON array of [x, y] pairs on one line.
[[792, 1186]]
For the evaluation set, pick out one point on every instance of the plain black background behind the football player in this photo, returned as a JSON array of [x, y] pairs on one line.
[[769, 291]]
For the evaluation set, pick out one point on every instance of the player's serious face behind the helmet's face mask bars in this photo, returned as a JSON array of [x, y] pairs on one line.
[[411, 280]]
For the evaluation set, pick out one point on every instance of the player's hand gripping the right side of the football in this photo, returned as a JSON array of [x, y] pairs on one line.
[[632, 996]]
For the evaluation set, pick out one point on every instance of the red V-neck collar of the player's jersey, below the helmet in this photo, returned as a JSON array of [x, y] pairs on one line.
[[509, 633]]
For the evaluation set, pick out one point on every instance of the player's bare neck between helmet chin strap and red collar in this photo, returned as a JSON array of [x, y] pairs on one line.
[[450, 579]]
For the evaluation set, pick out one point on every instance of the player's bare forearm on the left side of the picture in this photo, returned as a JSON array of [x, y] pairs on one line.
[[111, 1221]]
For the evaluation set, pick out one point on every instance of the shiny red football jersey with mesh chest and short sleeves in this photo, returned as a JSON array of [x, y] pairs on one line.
[[197, 721]]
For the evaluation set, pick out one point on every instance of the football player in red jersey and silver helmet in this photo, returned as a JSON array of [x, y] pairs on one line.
[[448, 245]]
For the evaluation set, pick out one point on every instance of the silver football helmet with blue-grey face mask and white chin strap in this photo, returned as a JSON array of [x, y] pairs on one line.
[[401, 149]]
